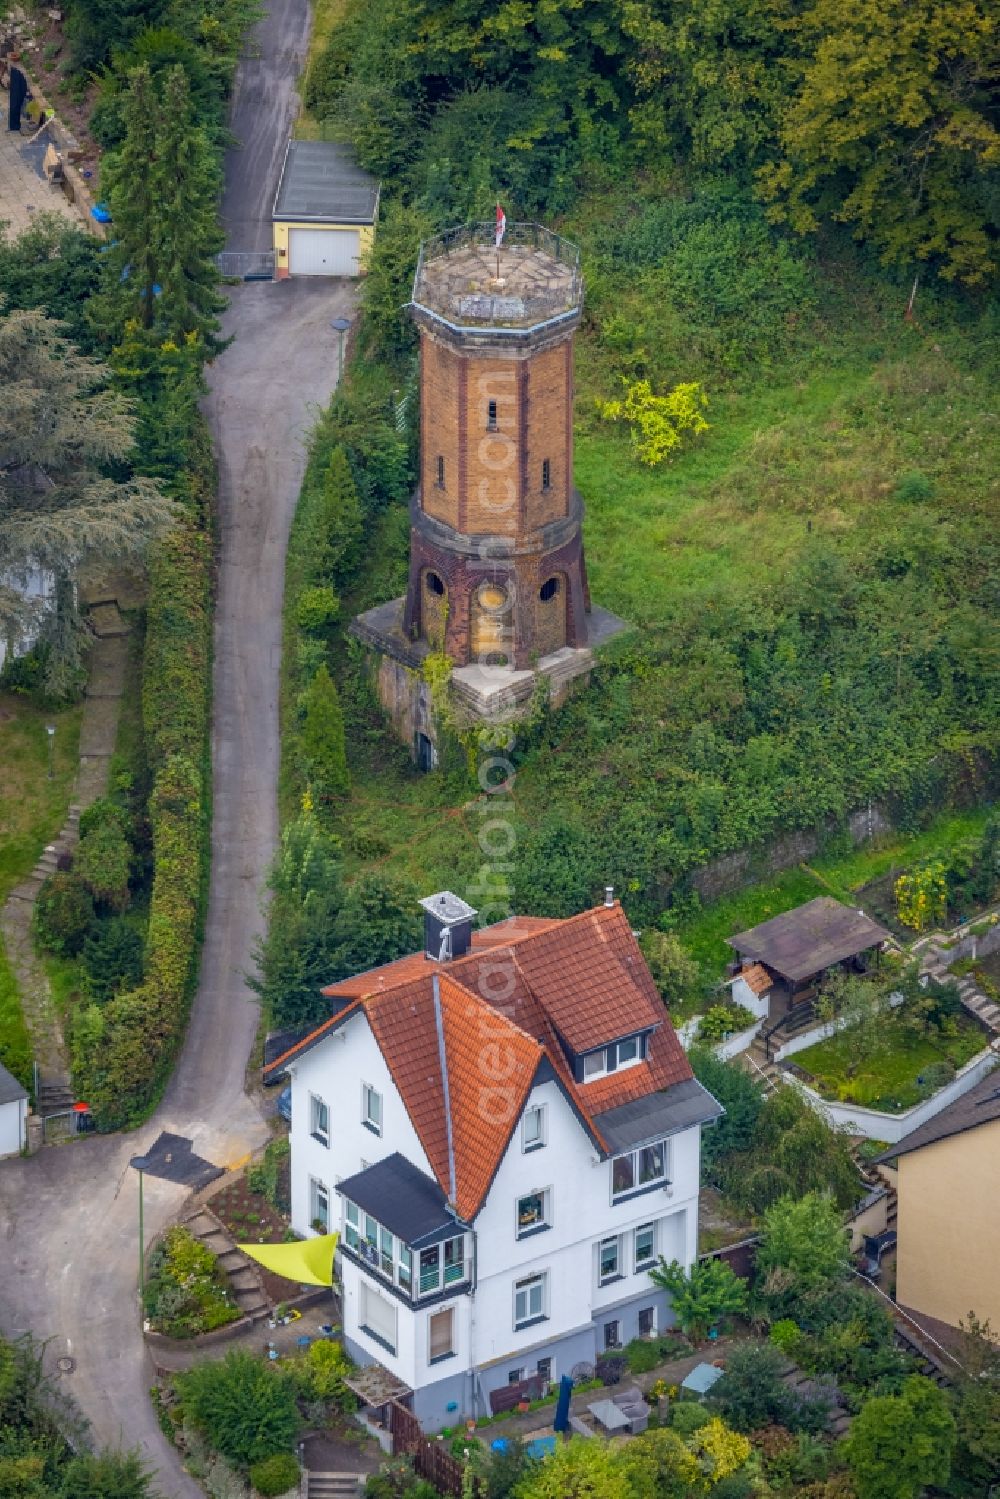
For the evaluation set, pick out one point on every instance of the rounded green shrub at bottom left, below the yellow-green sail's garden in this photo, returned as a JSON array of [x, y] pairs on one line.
[[245, 1408]]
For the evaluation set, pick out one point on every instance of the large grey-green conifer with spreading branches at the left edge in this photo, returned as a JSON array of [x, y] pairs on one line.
[[65, 443]]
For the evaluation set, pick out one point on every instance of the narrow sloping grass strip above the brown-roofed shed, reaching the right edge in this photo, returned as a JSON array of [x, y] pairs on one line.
[[840, 876]]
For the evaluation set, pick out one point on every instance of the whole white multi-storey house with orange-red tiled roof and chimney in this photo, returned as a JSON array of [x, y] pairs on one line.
[[506, 1131]]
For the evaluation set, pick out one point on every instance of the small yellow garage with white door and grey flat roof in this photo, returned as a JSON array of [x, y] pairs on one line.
[[325, 212]]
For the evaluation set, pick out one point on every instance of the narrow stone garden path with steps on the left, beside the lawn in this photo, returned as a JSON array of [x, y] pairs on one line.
[[98, 734]]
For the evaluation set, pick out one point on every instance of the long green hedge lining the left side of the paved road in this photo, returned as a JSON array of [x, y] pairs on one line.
[[124, 1052]]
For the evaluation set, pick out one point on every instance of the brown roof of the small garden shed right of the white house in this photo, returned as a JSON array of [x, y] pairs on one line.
[[810, 939]]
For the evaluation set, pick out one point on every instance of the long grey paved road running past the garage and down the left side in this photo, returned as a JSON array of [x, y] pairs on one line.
[[68, 1218]]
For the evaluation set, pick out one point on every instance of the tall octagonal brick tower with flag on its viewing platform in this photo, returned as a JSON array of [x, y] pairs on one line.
[[497, 570]]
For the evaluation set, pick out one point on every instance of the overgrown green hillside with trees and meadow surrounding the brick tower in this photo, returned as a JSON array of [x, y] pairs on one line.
[[795, 208]]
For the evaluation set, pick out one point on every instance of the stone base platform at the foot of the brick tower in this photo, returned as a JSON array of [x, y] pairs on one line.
[[478, 693]]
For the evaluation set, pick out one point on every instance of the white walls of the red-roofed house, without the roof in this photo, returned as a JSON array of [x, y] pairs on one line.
[[528, 1299]]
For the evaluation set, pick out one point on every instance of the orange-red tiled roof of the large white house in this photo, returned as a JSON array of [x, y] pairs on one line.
[[504, 1007]]
